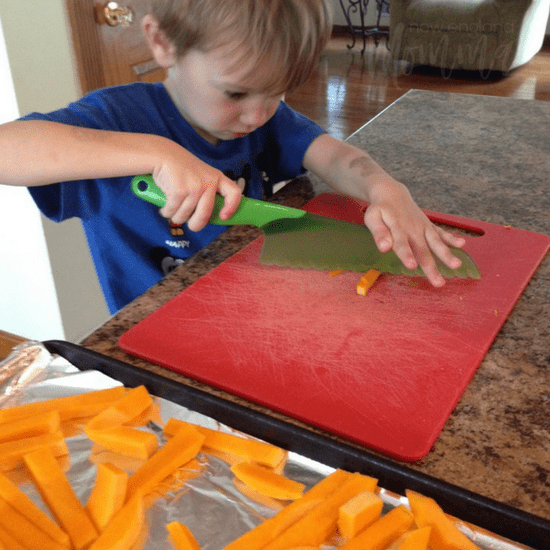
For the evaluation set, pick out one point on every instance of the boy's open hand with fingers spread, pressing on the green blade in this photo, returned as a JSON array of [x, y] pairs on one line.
[[397, 223]]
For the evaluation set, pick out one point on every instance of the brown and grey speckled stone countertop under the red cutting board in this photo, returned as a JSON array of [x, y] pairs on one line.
[[478, 157]]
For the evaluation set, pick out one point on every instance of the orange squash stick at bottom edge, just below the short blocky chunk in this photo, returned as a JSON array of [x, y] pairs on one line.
[[382, 532]]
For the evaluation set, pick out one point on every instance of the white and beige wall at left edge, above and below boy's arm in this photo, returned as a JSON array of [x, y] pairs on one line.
[[68, 303]]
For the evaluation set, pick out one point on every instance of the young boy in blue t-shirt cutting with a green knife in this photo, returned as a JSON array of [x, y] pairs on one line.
[[218, 124]]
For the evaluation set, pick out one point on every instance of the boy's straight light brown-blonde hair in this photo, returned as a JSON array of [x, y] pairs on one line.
[[286, 34]]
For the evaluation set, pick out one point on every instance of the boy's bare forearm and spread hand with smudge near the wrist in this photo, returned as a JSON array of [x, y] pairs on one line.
[[393, 217]]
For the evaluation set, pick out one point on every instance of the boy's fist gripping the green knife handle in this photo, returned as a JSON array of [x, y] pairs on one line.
[[190, 188]]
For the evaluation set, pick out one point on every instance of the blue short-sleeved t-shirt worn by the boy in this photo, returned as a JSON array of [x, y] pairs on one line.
[[132, 245]]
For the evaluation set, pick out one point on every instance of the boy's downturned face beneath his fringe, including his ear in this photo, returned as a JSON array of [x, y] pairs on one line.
[[220, 102]]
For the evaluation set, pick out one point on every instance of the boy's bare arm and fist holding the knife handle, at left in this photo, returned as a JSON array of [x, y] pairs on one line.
[[41, 152]]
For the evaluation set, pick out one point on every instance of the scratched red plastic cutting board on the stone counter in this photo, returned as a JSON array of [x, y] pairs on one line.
[[384, 370]]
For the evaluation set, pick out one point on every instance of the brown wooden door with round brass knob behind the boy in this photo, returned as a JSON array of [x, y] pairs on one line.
[[109, 46]]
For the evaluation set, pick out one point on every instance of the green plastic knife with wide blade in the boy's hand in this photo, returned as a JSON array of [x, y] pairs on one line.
[[296, 238]]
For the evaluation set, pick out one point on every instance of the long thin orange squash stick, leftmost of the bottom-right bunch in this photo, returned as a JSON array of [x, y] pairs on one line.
[[257, 538]]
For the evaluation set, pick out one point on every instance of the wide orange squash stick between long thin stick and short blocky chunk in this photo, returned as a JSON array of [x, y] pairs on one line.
[[315, 527]]
